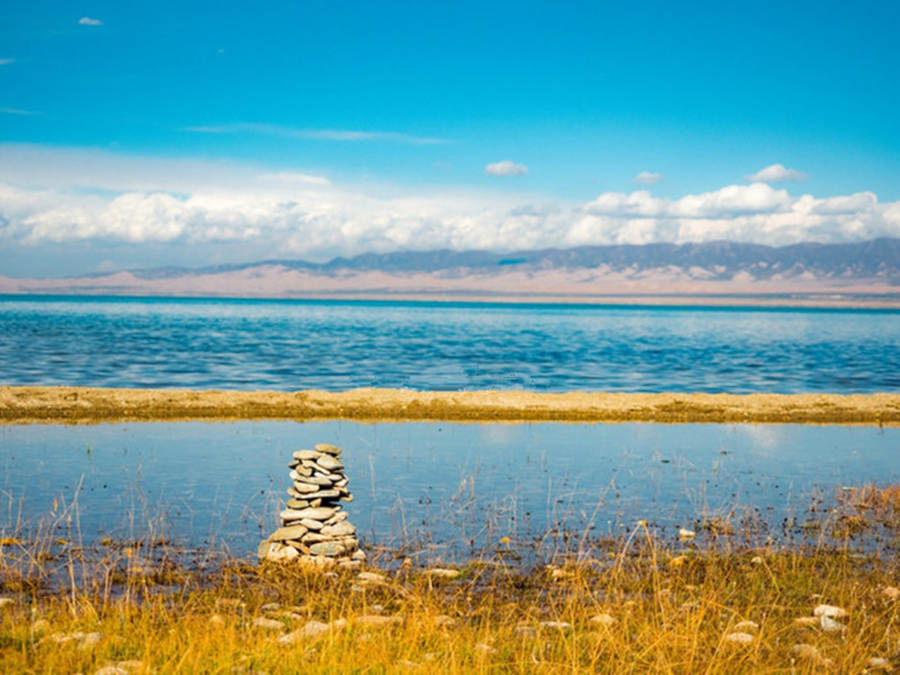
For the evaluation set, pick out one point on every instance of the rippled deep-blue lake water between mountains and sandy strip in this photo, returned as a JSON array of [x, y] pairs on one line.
[[289, 345]]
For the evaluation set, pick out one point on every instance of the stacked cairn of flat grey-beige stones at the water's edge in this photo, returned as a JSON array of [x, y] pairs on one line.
[[314, 526]]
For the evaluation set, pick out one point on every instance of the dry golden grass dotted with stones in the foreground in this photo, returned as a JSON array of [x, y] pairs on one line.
[[666, 611]]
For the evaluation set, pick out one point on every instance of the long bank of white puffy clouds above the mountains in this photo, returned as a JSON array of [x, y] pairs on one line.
[[302, 214]]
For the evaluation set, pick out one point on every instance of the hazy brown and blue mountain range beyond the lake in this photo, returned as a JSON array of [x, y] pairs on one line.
[[724, 267]]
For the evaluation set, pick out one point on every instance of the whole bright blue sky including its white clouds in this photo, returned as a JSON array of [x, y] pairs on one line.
[[149, 134]]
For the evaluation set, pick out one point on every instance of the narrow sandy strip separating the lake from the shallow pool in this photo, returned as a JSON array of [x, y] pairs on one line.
[[82, 405]]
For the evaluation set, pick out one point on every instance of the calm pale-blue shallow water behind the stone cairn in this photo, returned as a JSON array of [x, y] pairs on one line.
[[440, 489]]
